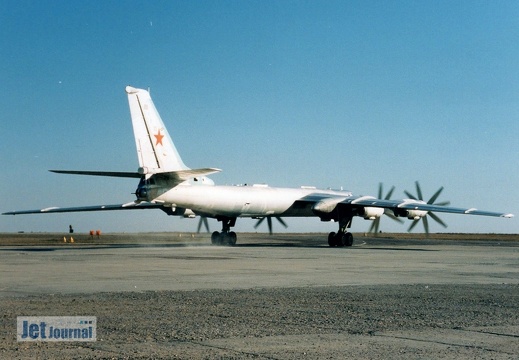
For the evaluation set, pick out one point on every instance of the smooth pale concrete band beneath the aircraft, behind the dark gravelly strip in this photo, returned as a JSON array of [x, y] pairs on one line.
[[191, 265]]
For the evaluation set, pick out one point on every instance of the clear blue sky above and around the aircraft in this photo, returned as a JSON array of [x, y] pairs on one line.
[[287, 93]]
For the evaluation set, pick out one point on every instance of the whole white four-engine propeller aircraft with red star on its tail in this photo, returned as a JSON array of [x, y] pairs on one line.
[[166, 183]]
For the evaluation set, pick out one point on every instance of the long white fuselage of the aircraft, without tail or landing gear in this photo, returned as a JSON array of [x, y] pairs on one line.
[[242, 201]]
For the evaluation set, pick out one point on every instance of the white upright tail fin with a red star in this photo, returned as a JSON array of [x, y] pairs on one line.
[[155, 149]]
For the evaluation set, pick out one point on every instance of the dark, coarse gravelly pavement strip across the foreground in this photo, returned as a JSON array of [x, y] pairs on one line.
[[363, 322]]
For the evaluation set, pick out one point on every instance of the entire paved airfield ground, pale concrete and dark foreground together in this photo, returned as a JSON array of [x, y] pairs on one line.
[[471, 287]]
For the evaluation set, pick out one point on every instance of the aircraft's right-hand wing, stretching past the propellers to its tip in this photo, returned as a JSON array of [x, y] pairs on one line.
[[409, 204]]
